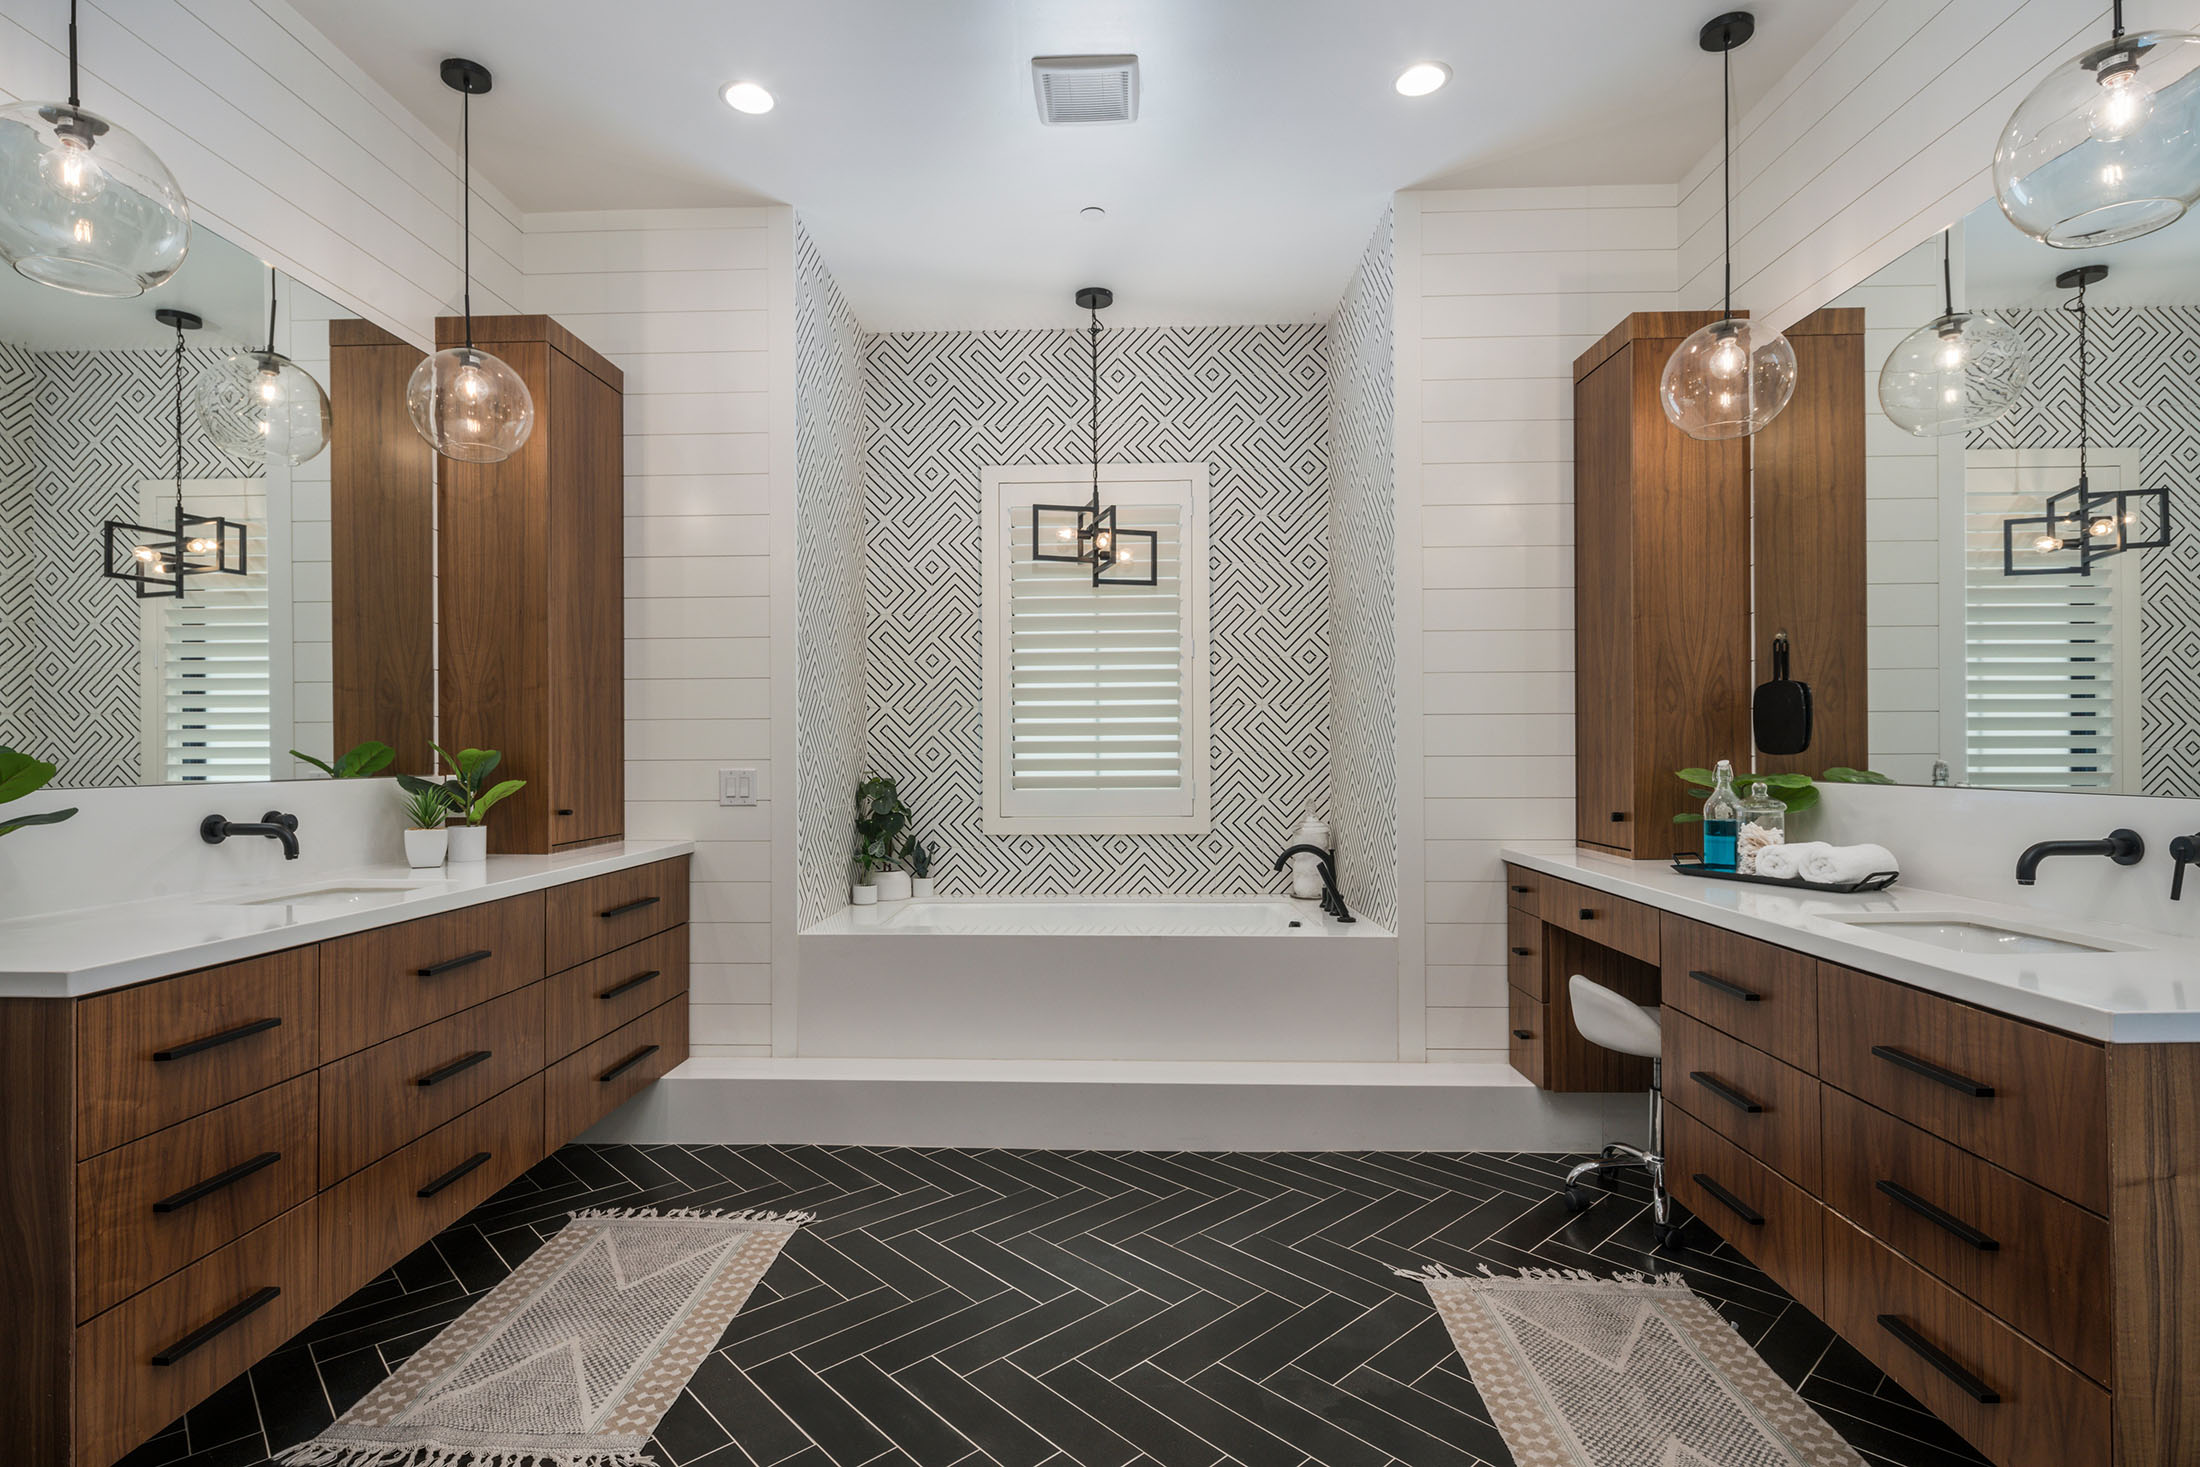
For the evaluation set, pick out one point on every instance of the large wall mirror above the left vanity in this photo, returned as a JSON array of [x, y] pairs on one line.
[[113, 665]]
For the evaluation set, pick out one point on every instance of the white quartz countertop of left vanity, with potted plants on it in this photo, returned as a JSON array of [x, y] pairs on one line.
[[65, 956]]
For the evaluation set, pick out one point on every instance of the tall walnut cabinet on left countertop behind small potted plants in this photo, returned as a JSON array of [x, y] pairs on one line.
[[531, 593]]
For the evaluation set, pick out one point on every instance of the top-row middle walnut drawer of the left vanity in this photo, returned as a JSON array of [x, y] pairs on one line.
[[415, 973]]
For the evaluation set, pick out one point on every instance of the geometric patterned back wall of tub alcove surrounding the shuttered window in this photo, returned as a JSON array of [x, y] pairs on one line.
[[1253, 401]]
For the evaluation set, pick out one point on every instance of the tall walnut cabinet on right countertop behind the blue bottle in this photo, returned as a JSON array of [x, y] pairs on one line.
[[1662, 595]]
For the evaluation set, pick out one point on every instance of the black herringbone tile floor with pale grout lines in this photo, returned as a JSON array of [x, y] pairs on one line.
[[1066, 1310]]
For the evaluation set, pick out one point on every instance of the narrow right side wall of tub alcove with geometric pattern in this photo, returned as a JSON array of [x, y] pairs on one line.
[[1363, 549]]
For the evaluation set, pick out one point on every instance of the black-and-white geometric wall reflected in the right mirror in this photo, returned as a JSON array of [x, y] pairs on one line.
[[2144, 393]]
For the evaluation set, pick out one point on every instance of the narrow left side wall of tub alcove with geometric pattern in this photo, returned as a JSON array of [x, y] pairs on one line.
[[828, 582]]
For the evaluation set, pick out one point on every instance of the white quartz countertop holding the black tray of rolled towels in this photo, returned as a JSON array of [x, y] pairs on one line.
[[2142, 989]]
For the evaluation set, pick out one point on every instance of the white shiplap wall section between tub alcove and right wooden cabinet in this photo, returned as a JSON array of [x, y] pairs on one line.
[[1499, 291]]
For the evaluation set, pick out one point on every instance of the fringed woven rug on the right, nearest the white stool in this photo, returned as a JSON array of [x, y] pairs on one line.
[[1625, 1371]]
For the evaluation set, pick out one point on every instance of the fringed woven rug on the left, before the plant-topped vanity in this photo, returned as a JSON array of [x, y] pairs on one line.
[[573, 1360]]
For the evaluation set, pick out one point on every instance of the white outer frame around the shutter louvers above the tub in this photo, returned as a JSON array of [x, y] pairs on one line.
[[1094, 813]]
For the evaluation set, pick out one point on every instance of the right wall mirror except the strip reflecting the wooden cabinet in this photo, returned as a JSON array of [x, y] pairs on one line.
[[2018, 646]]
